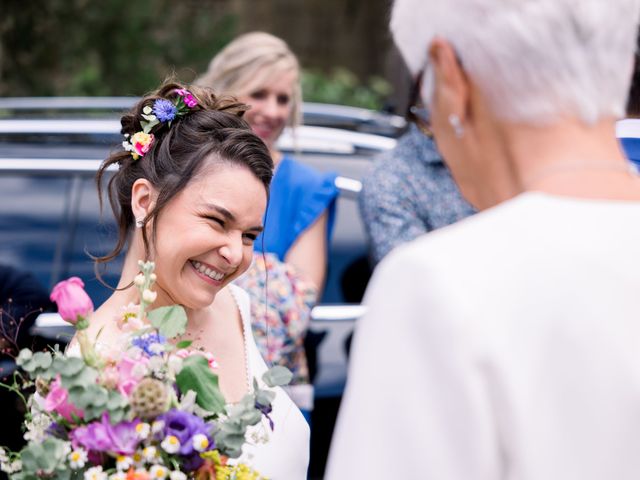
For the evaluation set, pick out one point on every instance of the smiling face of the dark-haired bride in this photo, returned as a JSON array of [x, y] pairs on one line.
[[205, 235]]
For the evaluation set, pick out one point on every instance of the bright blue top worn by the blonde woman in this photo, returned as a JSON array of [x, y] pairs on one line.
[[299, 195]]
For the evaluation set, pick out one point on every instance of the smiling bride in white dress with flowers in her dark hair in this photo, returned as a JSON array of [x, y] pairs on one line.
[[190, 194]]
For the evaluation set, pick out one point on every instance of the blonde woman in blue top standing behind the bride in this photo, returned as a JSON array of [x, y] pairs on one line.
[[261, 71]]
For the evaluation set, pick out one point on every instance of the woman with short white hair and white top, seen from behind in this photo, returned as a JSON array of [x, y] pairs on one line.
[[507, 346]]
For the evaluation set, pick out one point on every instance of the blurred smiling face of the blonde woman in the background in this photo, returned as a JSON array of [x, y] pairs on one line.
[[271, 107]]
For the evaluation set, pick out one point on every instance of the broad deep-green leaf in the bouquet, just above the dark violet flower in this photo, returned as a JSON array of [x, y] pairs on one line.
[[197, 376]]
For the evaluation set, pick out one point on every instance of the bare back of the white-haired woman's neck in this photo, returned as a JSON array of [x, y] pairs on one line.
[[566, 158]]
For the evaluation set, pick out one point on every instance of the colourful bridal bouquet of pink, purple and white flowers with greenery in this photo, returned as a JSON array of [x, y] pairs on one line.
[[150, 409]]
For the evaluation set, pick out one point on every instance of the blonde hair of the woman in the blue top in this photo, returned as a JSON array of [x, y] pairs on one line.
[[250, 62]]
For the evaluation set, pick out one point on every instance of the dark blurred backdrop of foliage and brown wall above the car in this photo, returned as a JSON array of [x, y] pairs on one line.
[[118, 47]]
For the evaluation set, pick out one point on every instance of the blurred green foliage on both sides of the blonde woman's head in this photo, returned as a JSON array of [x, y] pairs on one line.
[[124, 47]]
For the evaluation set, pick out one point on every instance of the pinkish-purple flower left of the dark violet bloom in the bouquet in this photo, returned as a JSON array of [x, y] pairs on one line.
[[101, 436]]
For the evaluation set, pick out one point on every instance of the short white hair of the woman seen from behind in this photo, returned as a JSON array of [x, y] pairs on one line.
[[535, 60]]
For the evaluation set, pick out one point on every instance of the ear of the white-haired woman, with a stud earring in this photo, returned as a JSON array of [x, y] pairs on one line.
[[451, 81]]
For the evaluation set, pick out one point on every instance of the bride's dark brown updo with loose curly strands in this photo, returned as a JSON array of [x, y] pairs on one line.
[[211, 132]]
